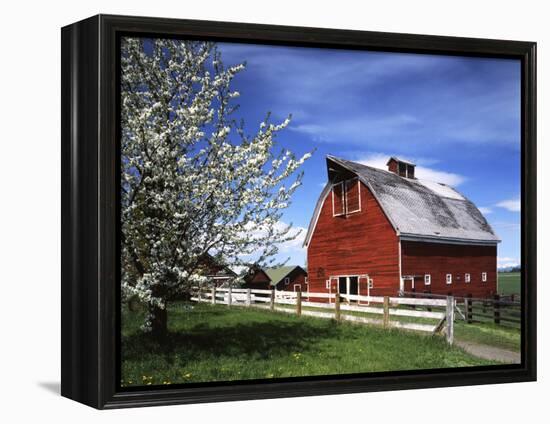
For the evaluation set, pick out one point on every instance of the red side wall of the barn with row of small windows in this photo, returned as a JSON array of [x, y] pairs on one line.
[[438, 259]]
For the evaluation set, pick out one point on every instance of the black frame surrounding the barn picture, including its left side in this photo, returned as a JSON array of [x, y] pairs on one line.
[[90, 182]]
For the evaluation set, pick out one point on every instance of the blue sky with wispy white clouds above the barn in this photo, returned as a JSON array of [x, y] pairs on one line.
[[457, 118]]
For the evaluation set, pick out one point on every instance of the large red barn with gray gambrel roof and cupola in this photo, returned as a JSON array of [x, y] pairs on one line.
[[377, 232]]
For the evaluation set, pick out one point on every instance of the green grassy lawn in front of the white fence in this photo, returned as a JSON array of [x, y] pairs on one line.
[[215, 343]]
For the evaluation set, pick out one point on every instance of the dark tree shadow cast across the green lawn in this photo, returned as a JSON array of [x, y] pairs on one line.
[[256, 339]]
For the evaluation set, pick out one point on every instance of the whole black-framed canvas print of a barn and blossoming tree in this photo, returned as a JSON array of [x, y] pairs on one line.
[[253, 211]]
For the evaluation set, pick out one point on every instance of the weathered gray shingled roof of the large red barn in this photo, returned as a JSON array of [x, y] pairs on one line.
[[419, 209]]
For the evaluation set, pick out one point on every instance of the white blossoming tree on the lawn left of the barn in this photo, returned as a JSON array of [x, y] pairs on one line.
[[193, 183]]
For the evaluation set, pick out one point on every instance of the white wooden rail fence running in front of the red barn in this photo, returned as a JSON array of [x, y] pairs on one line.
[[379, 310]]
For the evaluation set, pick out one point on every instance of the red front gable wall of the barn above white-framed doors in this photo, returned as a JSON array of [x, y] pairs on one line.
[[357, 244]]
